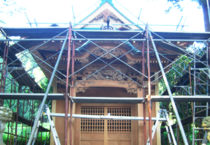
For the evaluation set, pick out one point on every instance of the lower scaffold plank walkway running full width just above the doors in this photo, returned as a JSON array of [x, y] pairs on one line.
[[127, 100]]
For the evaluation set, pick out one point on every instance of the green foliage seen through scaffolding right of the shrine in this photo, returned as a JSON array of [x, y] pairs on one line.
[[178, 69]]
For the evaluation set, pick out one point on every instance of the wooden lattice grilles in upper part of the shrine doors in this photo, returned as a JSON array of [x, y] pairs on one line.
[[97, 125]]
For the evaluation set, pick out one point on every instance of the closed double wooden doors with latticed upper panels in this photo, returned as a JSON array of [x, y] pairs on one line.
[[105, 132]]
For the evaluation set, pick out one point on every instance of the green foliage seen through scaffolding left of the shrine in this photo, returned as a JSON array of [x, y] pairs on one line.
[[26, 108]]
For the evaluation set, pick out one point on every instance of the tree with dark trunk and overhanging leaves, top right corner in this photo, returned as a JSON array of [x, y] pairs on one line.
[[203, 4]]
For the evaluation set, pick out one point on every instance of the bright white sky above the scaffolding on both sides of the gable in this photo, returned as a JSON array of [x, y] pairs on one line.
[[153, 12]]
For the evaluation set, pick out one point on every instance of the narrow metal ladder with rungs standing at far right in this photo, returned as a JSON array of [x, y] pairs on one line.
[[200, 109]]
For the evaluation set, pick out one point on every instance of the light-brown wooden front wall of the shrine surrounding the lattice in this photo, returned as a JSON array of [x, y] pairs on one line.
[[134, 136]]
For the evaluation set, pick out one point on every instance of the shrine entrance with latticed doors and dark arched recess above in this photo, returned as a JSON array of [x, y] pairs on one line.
[[106, 132]]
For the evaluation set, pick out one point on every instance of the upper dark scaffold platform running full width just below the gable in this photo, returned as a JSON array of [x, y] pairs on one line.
[[104, 34]]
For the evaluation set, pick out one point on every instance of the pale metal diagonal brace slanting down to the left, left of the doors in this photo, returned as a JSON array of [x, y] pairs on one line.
[[34, 131]]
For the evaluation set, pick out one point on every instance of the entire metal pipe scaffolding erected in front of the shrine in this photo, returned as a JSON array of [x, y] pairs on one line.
[[147, 46]]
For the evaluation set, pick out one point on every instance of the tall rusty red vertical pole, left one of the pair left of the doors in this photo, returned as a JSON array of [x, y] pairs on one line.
[[67, 87]]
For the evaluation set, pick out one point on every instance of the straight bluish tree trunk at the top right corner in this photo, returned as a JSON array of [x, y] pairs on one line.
[[206, 16]]
